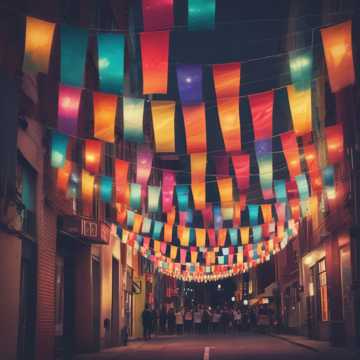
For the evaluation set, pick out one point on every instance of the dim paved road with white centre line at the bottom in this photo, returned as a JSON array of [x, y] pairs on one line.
[[219, 347]]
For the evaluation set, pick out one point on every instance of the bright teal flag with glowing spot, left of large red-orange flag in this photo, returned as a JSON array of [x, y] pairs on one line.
[[111, 60]]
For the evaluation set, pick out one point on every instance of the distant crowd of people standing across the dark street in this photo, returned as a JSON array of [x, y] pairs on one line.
[[200, 320]]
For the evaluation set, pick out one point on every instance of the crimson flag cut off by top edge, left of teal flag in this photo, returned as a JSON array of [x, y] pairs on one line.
[[157, 15]]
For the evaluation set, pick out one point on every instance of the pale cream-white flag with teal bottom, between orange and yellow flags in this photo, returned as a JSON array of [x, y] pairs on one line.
[[133, 114]]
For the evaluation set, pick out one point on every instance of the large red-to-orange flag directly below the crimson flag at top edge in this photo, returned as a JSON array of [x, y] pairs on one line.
[[155, 59]]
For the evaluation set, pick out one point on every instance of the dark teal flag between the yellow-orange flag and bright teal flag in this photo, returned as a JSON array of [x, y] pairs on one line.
[[73, 47]]
